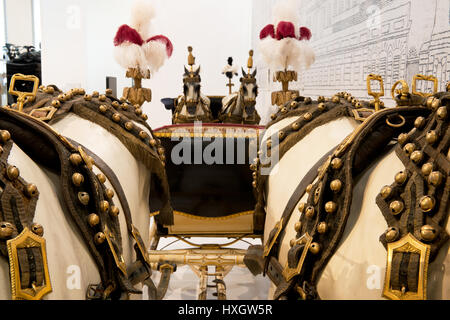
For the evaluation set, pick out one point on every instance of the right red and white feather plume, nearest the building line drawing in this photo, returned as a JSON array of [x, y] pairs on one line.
[[284, 44]]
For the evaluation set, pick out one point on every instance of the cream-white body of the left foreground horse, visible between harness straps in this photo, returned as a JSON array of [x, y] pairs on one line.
[[71, 266]]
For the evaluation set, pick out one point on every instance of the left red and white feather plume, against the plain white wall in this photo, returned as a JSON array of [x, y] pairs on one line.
[[135, 47]]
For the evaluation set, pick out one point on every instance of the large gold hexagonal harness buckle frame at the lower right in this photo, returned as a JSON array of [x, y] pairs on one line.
[[408, 244]]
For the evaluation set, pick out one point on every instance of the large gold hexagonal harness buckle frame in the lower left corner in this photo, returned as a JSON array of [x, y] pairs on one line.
[[27, 239]]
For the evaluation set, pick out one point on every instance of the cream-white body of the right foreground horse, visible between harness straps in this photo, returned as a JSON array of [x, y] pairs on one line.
[[357, 268]]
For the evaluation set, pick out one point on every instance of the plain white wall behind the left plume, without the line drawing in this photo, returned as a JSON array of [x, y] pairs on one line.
[[77, 44]]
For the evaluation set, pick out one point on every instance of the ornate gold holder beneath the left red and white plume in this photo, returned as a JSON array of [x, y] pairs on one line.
[[136, 94]]
